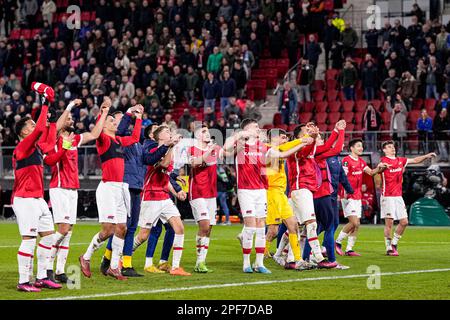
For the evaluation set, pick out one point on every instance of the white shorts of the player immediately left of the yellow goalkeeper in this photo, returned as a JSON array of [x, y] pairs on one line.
[[253, 203]]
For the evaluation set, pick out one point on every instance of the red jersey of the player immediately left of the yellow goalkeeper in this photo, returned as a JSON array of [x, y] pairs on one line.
[[251, 167]]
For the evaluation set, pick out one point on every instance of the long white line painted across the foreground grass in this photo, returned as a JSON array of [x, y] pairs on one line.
[[241, 284]]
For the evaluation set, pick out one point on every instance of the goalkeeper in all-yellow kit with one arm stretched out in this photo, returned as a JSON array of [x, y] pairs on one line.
[[278, 208]]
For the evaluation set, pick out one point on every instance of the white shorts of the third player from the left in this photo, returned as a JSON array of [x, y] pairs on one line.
[[113, 202]]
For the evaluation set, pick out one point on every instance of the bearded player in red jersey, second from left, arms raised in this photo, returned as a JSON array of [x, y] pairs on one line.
[[64, 183]]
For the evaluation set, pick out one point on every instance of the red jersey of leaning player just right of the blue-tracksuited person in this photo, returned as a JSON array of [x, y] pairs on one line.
[[156, 183]]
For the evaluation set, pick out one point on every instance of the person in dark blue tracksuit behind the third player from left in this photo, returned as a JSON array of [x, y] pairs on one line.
[[134, 176]]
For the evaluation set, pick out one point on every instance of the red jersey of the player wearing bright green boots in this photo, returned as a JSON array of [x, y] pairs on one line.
[[203, 178]]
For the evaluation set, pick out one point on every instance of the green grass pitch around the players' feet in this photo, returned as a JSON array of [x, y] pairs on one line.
[[422, 271]]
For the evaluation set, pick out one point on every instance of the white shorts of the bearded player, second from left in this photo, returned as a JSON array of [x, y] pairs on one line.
[[64, 205]]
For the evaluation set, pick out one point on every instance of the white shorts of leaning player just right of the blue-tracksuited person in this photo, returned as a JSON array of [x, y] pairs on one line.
[[151, 211]]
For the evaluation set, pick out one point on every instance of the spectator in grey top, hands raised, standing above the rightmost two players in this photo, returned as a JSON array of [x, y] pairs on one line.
[[399, 115]]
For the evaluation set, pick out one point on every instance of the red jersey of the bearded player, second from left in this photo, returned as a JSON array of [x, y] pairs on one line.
[[65, 172]]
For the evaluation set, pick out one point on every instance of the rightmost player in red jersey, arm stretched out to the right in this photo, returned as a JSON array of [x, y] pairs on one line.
[[392, 204]]
